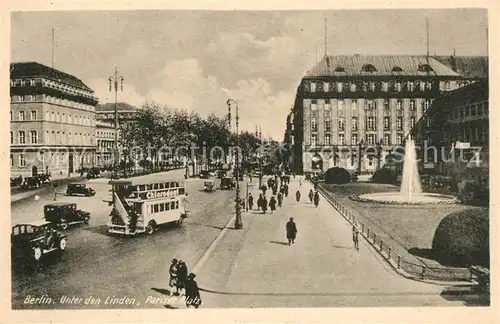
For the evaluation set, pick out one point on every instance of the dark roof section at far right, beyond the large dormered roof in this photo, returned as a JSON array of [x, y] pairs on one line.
[[475, 67]]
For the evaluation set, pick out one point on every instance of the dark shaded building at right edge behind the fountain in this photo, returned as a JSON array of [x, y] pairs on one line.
[[453, 135]]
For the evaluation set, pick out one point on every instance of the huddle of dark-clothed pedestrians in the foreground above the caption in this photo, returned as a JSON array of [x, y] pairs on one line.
[[182, 281]]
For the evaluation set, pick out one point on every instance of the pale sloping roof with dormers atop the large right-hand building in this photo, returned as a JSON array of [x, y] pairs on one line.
[[357, 65]]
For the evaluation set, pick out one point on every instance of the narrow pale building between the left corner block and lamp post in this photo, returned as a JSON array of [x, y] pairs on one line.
[[105, 142]]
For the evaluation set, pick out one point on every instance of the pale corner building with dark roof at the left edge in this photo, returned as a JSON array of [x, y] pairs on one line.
[[52, 121]]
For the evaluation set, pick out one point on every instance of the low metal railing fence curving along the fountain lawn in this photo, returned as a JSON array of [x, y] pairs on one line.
[[385, 249]]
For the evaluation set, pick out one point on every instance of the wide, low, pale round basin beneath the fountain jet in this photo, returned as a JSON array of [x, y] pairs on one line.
[[396, 198]]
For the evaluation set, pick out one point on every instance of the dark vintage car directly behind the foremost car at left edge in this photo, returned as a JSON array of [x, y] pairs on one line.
[[62, 215]]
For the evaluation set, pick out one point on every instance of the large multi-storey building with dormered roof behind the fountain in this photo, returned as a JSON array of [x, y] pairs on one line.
[[353, 111]]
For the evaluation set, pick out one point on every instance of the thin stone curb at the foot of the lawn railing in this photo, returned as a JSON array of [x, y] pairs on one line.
[[388, 258]]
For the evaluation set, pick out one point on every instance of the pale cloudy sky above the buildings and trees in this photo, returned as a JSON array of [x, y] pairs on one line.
[[196, 60]]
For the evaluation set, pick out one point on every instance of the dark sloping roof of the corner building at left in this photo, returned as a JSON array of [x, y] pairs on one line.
[[35, 69]]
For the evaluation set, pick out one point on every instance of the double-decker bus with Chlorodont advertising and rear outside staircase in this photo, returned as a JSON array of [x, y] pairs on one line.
[[140, 206]]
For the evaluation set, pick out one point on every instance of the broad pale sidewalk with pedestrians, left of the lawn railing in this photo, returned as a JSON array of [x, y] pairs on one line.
[[255, 267]]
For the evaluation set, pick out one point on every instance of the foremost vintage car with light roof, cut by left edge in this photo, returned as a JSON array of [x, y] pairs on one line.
[[34, 239]]
